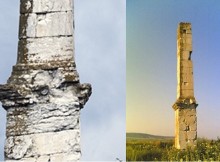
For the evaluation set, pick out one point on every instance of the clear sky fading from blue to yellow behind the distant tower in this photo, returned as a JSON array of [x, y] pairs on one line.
[[151, 61]]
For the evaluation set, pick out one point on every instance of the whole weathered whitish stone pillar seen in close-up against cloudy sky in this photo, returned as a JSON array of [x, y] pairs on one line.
[[43, 97]]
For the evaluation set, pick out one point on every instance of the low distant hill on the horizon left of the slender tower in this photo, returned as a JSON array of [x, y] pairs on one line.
[[146, 136]]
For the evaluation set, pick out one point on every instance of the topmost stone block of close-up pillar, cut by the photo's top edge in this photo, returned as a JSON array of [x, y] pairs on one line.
[[42, 6]]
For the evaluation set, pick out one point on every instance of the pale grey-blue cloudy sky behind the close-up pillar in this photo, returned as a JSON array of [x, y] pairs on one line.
[[100, 55]]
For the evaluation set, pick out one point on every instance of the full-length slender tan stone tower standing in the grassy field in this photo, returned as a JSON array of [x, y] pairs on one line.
[[185, 105]]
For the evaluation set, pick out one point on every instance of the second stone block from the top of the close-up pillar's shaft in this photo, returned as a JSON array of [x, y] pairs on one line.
[[46, 25]]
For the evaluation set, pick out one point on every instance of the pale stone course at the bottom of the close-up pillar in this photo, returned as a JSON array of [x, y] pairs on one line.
[[45, 144]]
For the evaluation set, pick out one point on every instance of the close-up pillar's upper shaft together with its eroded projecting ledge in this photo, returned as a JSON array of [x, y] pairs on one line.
[[45, 61]]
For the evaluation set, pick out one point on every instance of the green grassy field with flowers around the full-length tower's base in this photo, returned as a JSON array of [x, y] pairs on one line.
[[163, 150]]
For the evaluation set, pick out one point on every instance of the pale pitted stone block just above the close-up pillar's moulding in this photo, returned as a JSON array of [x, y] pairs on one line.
[[43, 50]]
